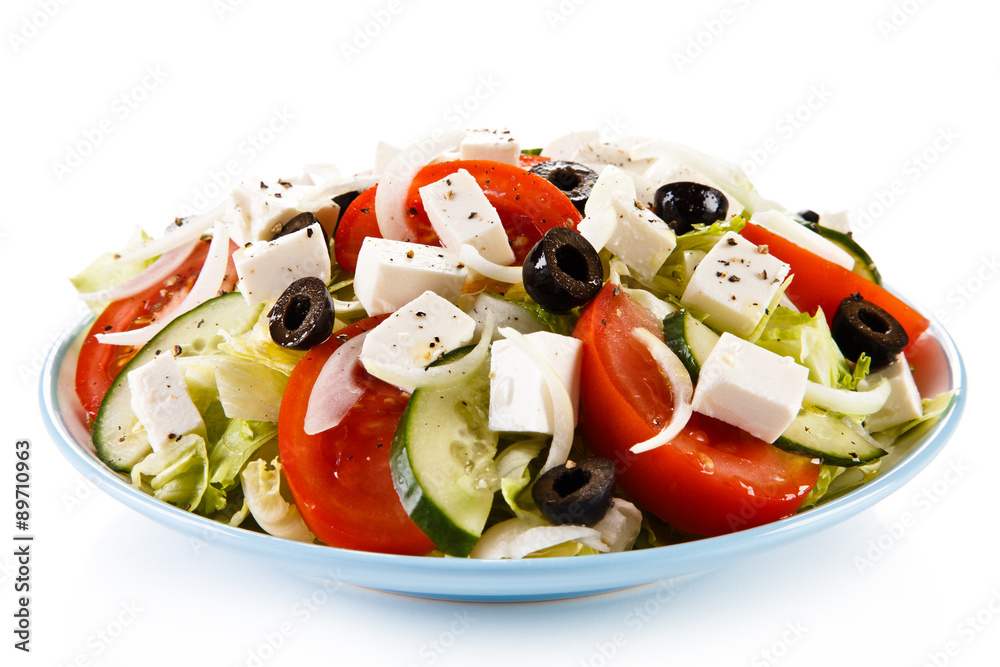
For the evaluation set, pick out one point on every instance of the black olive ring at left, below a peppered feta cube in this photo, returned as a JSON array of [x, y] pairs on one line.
[[303, 315]]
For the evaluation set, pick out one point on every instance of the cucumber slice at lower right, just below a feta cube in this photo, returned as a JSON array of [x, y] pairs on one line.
[[822, 436]]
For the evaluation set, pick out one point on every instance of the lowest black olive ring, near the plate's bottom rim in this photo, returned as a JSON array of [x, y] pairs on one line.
[[577, 494]]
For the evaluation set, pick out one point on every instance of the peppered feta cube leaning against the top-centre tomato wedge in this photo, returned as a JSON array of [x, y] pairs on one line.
[[460, 213]]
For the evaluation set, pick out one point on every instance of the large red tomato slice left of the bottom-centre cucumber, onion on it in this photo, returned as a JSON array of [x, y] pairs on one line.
[[340, 478]]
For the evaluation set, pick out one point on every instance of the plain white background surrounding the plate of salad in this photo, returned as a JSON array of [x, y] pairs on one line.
[[884, 107]]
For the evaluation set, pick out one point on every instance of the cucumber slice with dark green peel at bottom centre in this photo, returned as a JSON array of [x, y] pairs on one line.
[[442, 460]]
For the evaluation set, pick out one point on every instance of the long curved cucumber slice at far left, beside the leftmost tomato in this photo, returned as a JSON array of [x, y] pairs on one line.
[[195, 332]]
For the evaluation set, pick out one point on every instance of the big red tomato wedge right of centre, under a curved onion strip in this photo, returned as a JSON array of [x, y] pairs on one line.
[[713, 478]]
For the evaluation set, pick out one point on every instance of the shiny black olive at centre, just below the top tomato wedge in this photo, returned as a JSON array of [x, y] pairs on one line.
[[562, 271]]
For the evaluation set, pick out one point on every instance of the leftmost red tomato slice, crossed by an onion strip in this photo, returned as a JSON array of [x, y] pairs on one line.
[[99, 364]]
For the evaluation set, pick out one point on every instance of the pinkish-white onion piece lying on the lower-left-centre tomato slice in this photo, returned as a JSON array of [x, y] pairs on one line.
[[336, 390]]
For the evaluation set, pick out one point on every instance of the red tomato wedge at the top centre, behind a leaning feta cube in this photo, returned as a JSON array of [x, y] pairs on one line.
[[528, 206]]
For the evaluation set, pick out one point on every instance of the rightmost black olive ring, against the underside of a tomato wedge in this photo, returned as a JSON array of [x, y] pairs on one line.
[[861, 326]]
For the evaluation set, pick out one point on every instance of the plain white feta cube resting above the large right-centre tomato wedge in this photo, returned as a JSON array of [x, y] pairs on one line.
[[749, 387]]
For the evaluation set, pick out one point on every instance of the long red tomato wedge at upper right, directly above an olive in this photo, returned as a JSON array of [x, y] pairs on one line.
[[821, 283]]
